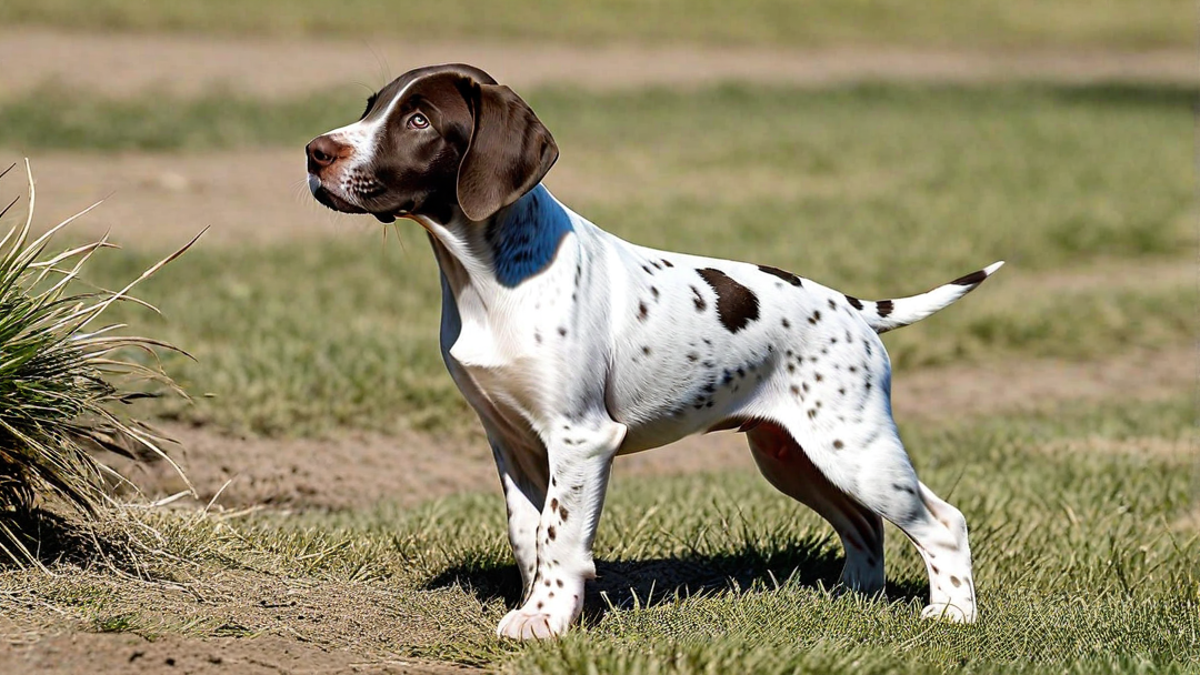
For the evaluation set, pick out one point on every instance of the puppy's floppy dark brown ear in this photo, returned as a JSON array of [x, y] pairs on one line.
[[511, 151]]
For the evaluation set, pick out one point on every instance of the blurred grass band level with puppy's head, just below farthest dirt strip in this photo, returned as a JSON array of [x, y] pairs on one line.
[[963, 176]]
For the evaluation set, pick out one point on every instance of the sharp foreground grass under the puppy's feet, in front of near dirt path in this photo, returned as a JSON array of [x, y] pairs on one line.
[[1082, 568]]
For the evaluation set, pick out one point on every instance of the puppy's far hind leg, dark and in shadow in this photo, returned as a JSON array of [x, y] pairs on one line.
[[789, 469]]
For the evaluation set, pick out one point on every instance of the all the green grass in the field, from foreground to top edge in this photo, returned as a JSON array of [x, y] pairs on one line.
[[1085, 519]]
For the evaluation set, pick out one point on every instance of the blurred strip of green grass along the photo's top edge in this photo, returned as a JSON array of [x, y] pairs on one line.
[[785, 23]]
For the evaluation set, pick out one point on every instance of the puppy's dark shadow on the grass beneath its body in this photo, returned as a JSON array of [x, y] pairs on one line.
[[655, 582]]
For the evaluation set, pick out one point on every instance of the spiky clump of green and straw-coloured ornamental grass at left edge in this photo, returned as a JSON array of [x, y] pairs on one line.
[[65, 379]]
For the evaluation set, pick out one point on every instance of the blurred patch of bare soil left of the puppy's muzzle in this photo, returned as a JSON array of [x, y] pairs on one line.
[[163, 201]]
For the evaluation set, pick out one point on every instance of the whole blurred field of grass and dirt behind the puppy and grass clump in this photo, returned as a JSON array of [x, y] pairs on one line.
[[878, 147]]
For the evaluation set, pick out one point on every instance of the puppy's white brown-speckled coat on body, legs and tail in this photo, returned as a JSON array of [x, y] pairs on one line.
[[614, 349]]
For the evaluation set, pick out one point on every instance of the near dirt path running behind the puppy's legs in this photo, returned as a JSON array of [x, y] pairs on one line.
[[361, 470]]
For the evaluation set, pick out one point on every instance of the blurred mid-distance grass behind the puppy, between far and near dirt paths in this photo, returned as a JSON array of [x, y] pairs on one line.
[[877, 190]]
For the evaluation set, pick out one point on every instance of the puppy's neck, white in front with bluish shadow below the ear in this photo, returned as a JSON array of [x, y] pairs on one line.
[[506, 252]]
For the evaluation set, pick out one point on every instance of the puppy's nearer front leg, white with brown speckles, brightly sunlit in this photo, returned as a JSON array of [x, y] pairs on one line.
[[580, 458]]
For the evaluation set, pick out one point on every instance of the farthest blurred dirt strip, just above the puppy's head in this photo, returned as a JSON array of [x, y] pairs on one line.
[[119, 65]]
